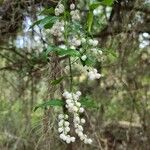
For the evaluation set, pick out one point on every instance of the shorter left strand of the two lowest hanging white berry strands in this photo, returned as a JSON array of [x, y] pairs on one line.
[[63, 129]]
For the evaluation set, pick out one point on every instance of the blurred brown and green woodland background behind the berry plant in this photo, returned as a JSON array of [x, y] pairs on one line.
[[122, 118]]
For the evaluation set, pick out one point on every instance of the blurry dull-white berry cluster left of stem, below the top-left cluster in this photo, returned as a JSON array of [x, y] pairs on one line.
[[57, 29]]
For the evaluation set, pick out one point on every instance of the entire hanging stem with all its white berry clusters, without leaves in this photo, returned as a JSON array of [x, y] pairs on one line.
[[86, 46]]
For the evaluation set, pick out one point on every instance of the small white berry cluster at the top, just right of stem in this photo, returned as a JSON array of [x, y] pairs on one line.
[[75, 14]]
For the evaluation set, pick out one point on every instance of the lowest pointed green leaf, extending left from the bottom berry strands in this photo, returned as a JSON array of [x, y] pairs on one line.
[[52, 103]]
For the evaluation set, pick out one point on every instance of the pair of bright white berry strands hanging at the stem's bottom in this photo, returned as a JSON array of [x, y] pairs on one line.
[[74, 107]]
